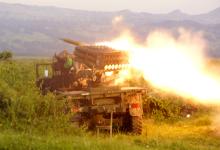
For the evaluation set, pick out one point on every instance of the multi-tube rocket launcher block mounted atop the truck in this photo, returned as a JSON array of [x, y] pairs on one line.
[[99, 57]]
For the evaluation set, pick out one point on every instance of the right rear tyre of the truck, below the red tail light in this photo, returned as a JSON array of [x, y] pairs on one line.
[[136, 123]]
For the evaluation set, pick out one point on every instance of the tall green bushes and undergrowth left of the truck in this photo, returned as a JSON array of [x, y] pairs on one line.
[[23, 108]]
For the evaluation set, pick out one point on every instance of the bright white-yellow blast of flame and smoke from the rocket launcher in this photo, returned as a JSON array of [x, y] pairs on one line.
[[174, 64]]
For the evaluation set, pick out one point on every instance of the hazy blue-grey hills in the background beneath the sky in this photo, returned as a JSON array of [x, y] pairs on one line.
[[36, 30]]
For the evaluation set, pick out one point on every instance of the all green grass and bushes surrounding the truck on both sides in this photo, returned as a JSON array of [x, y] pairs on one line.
[[29, 120]]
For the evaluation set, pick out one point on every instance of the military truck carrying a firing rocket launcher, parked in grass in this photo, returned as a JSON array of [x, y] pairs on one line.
[[86, 80]]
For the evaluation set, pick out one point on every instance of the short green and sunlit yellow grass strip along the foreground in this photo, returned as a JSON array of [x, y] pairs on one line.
[[183, 135]]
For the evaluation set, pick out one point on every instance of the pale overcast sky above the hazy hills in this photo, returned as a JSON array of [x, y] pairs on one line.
[[152, 6]]
